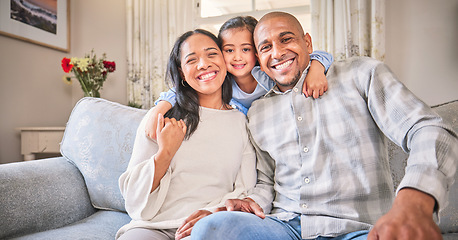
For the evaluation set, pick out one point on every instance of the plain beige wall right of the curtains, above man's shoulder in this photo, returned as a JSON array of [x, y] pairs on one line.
[[422, 47]]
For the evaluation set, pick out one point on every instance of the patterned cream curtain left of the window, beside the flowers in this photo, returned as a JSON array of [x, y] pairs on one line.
[[152, 28]]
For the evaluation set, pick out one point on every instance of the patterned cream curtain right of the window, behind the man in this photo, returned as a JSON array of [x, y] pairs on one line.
[[347, 28]]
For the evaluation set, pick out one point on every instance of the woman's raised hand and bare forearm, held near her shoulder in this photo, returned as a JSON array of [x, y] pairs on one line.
[[170, 134]]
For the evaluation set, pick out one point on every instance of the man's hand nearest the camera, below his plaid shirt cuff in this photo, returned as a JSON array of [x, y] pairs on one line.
[[409, 218]]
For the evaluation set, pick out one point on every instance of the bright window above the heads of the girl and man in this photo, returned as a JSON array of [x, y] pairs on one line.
[[213, 13]]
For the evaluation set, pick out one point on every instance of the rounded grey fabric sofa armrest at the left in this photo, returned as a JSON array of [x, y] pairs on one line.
[[40, 195]]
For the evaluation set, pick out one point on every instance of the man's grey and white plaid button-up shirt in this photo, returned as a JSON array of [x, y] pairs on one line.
[[326, 159]]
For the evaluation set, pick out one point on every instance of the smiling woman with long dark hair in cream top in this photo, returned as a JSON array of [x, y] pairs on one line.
[[202, 155]]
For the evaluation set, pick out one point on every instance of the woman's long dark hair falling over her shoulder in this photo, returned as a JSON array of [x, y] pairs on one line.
[[187, 100]]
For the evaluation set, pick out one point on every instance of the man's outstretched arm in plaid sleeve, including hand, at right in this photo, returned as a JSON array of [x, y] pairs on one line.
[[431, 166]]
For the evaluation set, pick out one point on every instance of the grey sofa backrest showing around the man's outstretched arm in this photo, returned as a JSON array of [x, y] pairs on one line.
[[398, 162]]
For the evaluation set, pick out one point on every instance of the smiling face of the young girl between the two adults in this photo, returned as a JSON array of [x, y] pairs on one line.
[[238, 51]]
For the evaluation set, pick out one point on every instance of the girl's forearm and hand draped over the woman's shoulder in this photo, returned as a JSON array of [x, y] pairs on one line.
[[165, 102]]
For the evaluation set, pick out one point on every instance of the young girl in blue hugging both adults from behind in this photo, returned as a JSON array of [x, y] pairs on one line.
[[248, 81]]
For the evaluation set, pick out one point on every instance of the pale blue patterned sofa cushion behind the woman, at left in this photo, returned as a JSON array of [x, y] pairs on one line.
[[98, 139]]
